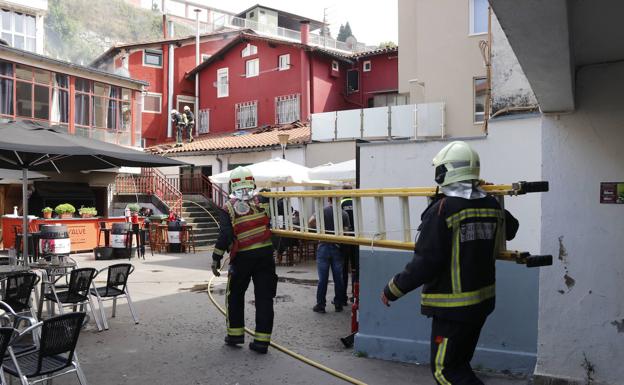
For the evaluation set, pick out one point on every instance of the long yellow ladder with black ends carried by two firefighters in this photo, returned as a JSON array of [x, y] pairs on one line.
[[380, 237]]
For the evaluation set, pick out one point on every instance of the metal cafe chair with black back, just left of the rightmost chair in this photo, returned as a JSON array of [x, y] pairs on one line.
[[77, 293]]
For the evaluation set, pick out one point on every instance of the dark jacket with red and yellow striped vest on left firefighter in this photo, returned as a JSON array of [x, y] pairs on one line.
[[244, 225]]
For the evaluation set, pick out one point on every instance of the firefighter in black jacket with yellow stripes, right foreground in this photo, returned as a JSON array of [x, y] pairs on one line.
[[454, 259]]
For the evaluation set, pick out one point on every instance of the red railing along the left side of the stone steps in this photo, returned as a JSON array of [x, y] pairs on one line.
[[151, 182]]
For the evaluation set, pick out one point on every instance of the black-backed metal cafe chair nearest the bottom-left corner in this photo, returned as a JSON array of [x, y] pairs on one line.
[[55, 354]]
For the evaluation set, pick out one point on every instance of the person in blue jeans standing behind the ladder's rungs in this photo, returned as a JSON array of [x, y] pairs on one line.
[[328, 256]]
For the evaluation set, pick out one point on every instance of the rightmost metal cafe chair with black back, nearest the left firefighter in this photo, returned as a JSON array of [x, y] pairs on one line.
[[116, 286]]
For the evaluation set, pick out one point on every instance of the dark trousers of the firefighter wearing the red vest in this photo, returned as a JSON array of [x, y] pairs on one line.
[[257, 265]]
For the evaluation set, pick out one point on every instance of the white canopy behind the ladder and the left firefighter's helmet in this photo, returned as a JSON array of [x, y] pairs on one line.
[[276, 172]]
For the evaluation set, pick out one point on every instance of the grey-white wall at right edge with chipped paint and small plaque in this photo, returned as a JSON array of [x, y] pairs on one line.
[[581, 307]]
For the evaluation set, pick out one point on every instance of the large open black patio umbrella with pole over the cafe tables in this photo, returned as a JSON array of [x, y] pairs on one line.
[[26, 145]]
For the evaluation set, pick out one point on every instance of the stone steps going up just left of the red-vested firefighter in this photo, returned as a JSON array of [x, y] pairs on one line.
[[206, 230]]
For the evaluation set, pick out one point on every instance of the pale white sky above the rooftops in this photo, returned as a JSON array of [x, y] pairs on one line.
[[371, 21]]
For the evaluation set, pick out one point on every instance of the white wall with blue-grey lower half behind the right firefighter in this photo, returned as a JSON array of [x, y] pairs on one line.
[[509, 339]]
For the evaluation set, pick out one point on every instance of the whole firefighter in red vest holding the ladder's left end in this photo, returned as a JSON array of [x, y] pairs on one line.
[[245, 233]]
